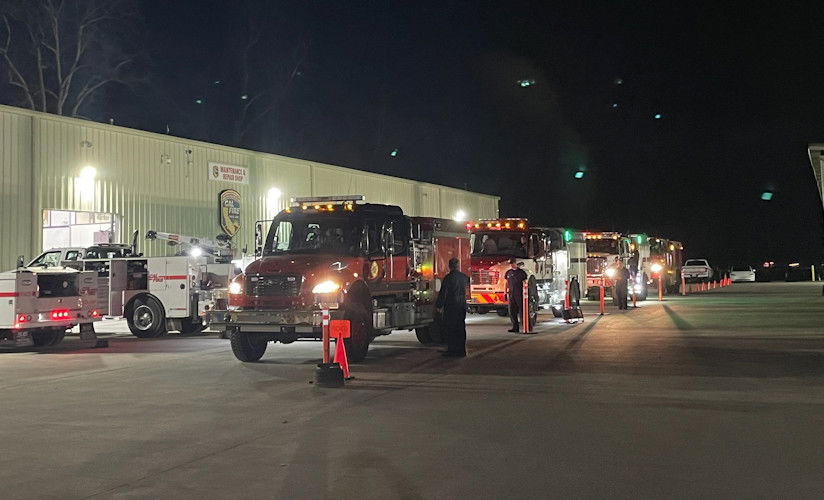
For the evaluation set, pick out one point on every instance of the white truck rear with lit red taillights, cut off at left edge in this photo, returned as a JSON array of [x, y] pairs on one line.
[[37, 306]]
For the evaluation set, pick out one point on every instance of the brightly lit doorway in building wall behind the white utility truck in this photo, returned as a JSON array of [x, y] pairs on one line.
[[66, 228]]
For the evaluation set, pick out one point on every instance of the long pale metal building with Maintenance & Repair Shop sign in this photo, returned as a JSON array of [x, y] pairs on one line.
[[71, 182]]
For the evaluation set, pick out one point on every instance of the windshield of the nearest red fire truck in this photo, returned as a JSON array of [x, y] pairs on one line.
[[313, 233]]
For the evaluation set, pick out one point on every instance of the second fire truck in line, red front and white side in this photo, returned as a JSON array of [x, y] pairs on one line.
[[550, 257]]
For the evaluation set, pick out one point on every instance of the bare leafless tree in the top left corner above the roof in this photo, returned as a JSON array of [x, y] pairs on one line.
[[58, 53]]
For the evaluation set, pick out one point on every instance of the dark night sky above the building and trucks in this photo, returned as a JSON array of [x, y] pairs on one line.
[[739, 90]]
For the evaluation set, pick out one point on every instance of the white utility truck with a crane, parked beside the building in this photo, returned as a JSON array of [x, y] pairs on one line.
[[159, 294]]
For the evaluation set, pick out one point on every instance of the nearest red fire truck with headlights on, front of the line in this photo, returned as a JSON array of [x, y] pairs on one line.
[[368, 263]]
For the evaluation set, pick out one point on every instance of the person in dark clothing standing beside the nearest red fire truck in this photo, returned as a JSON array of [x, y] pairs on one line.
[[452, 304]]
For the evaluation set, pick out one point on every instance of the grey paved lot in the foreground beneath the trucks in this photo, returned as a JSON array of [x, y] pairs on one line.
[[720, 394]]
